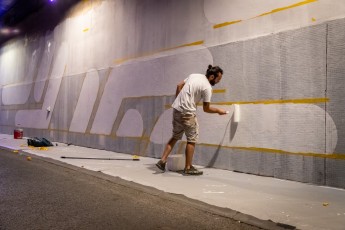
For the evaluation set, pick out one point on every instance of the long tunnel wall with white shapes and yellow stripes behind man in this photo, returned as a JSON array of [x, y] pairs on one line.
[[105, 78]]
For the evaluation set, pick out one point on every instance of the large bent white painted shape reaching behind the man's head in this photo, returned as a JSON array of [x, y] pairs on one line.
[[137, 79]]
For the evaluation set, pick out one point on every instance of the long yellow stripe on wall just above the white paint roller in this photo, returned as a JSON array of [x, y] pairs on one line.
[[293, 101]]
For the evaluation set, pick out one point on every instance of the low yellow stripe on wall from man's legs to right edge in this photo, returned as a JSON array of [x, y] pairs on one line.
[[278, 151]]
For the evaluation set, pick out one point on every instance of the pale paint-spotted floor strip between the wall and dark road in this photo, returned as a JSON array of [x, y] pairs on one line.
[[305, 206]]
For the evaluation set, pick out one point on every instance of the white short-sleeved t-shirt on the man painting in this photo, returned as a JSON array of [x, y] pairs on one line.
[[196, 87]]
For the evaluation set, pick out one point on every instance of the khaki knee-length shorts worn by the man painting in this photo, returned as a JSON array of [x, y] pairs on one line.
[[185, 123]]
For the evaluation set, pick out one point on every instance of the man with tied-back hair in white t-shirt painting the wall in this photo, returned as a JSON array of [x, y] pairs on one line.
[[188, 93]]
